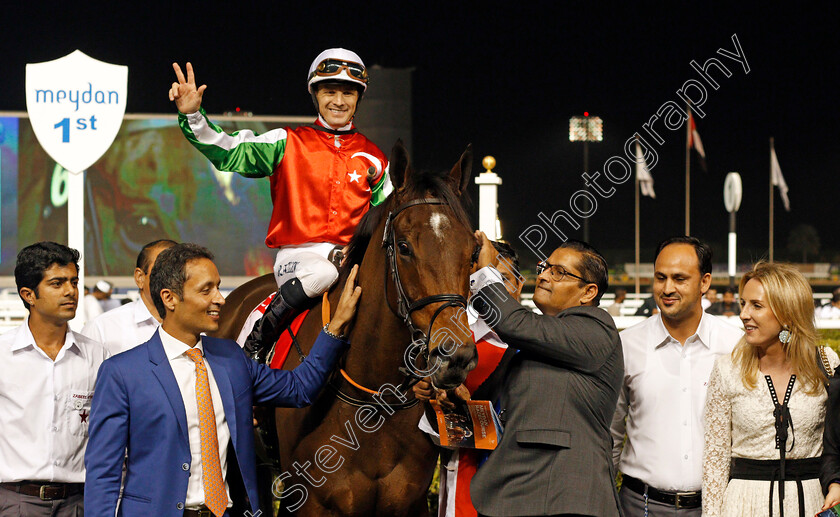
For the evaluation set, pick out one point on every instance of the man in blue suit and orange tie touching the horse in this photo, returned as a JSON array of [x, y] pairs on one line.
[[158, 401]]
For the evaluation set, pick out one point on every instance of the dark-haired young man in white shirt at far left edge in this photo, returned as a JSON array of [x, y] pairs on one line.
[[47, 378]]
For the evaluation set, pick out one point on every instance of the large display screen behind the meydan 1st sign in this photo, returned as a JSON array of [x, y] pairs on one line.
[[151, 184]]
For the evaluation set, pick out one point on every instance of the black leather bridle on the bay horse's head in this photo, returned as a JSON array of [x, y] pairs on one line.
[[405, 307]]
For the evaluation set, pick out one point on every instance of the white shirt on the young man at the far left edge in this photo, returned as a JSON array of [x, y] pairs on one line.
[[44, 406]]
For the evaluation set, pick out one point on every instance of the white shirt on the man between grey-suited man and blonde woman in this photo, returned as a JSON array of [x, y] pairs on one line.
[[663, 398]]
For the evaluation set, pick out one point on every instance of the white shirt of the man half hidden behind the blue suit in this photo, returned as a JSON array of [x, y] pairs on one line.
[[123, 328]]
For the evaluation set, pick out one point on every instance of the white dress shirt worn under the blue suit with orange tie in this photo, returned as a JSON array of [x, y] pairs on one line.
[[184, 369]]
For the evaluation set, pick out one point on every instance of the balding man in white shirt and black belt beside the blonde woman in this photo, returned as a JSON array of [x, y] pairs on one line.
[[668, 359]]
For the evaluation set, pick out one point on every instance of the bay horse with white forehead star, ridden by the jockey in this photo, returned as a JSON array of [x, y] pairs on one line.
[[352, 453]]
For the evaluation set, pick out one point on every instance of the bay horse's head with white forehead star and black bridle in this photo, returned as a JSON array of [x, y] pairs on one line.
[[429, 243]]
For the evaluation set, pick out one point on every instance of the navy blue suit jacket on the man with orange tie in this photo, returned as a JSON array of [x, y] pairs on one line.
[[138, 406]]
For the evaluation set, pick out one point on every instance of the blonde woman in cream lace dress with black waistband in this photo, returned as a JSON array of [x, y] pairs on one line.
[[765, 406]]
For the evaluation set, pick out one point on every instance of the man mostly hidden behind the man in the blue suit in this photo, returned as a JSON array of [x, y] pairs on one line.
[[133, 323]]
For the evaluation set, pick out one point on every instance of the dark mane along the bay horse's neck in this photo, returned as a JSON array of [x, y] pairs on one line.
[[421, 184]]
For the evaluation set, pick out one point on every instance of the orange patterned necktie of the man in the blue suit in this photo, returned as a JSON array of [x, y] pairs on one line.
[[215, 495]]
